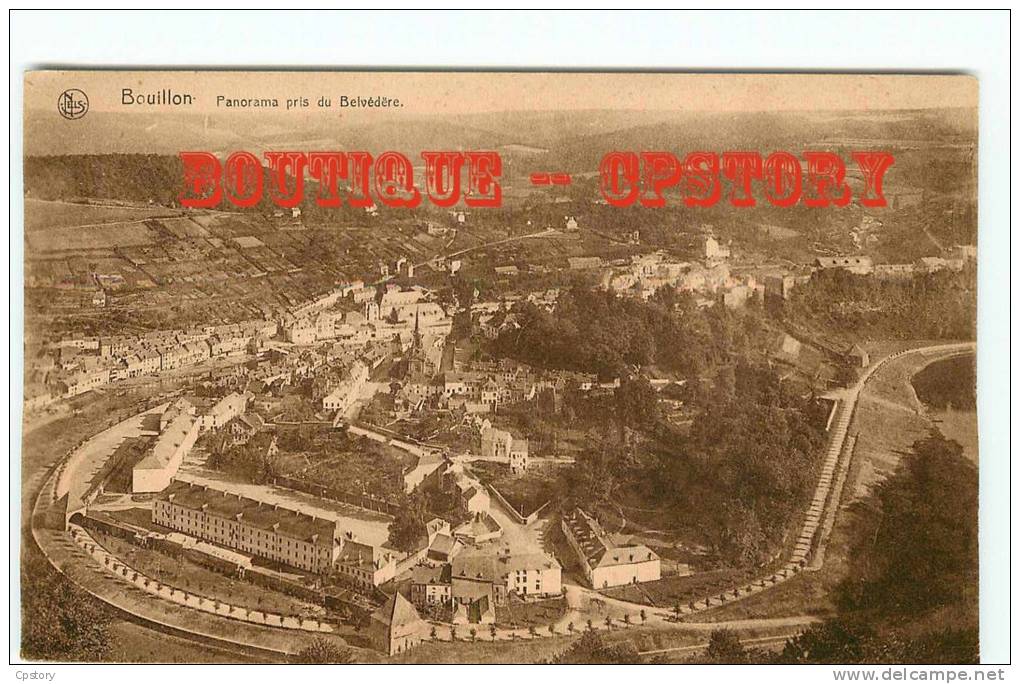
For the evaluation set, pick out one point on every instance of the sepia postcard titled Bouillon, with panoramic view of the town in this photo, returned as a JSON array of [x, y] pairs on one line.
[[394, 367]]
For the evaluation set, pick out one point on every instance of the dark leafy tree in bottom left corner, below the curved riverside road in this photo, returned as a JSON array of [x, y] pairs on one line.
[[60, 622]]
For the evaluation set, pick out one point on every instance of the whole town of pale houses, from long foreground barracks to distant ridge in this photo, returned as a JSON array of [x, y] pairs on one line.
[[388, 351]]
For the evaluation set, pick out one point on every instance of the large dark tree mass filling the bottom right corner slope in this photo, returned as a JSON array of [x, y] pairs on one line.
[[912, 563]]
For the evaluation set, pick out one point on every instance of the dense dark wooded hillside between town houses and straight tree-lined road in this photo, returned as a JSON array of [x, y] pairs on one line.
[[734, 477]]
